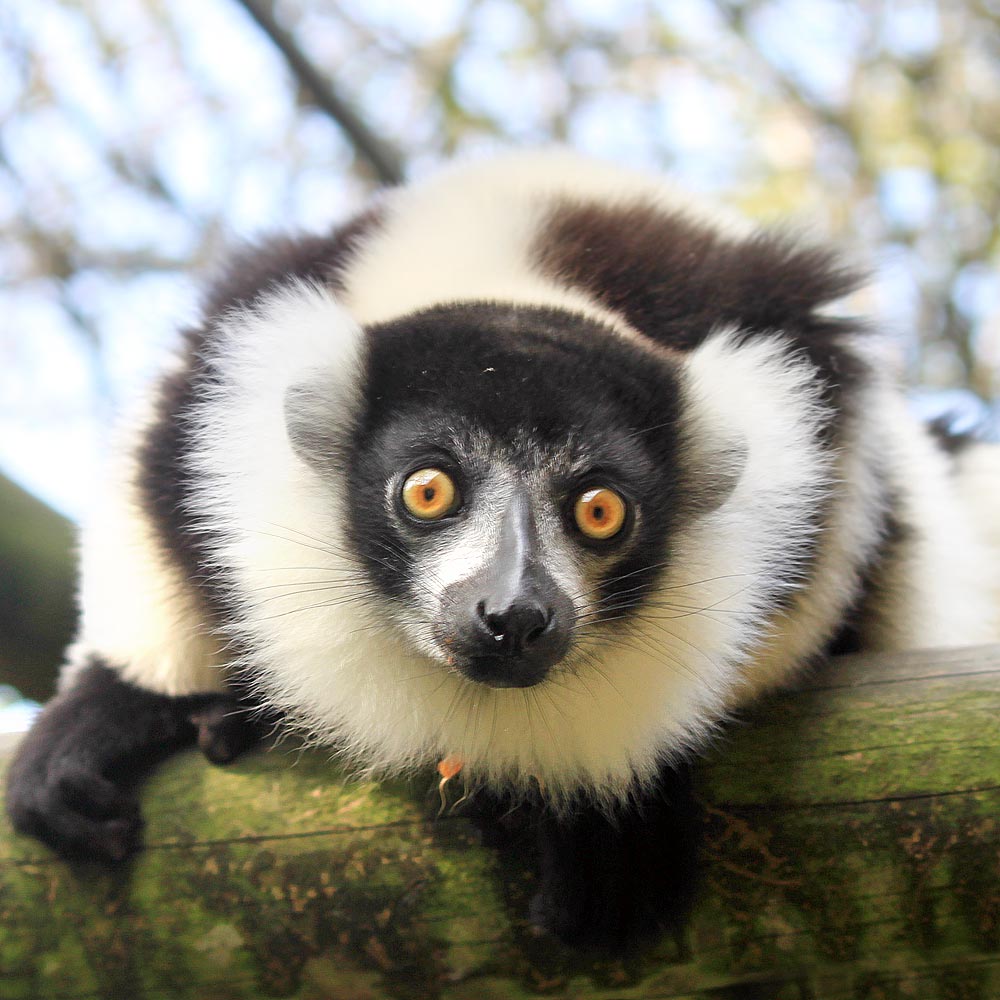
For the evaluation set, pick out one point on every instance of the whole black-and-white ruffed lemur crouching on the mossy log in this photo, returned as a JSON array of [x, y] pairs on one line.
[[535, 466]]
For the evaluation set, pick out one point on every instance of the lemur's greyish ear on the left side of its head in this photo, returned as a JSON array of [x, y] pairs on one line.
[[317, 421]]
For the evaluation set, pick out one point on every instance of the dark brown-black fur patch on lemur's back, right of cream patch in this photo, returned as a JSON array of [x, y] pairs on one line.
[[677, 280]]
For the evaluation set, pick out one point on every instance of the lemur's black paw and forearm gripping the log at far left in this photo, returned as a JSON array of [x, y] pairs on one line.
[[74, 780]]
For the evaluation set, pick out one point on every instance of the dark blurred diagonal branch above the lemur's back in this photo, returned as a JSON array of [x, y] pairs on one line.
[[384, 160]]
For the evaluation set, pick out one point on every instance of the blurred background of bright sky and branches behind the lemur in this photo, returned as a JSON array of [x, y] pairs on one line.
[[139, 137]]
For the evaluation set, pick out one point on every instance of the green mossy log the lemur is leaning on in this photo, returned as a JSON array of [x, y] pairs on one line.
[[851, 850]]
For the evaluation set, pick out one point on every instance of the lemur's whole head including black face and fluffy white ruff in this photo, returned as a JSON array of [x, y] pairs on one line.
[[506, 532]]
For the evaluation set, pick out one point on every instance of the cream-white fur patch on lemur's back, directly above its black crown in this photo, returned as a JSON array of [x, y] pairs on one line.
[[466, 234]]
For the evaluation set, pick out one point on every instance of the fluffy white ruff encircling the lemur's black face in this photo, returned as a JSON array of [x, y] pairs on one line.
[[329, 658]]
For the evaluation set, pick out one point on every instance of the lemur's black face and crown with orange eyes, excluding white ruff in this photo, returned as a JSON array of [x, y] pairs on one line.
[[514, 476]]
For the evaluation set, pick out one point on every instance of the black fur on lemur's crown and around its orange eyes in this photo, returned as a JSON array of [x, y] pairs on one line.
[[532, 379]]
